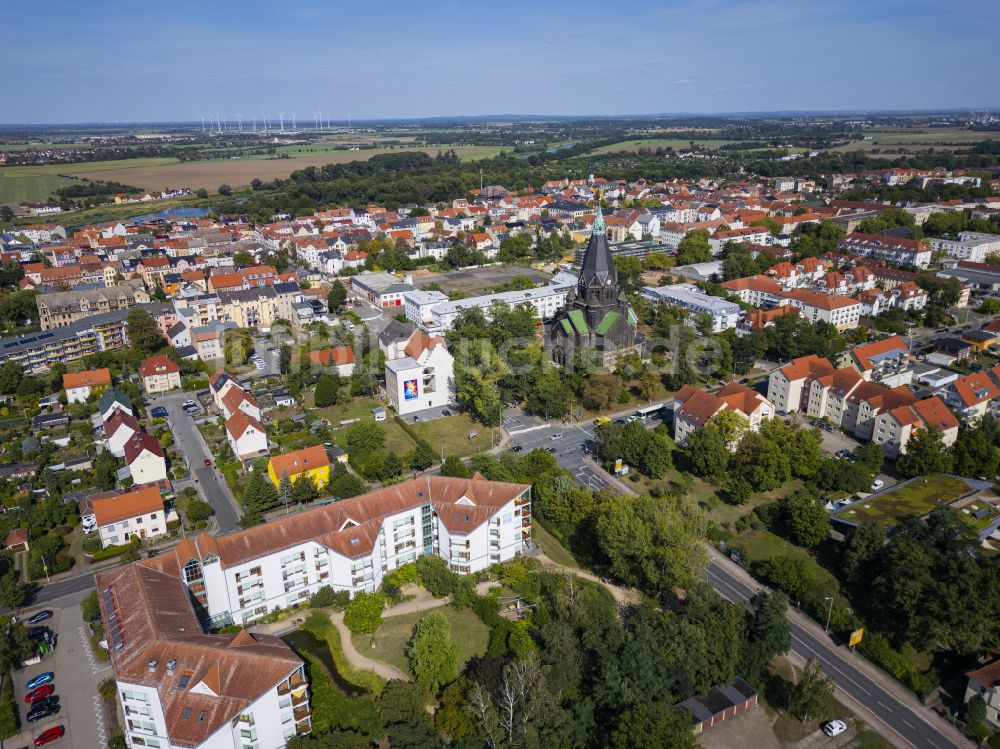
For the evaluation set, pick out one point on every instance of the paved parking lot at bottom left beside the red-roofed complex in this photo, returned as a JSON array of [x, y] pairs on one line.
[[77, 675]]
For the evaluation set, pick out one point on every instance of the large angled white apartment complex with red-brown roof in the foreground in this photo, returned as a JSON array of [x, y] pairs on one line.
[[182, 688]]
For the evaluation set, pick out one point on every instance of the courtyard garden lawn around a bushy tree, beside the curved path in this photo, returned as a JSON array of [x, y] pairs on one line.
[[468, 633]]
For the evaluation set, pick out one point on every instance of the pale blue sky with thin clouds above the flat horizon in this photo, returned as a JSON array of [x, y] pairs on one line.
[[112, 61]]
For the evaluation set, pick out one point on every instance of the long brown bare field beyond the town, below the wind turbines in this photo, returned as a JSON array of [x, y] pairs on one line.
[[239, 172]]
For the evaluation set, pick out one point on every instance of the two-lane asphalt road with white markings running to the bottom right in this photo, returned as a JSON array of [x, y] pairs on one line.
[[874, 693]]
